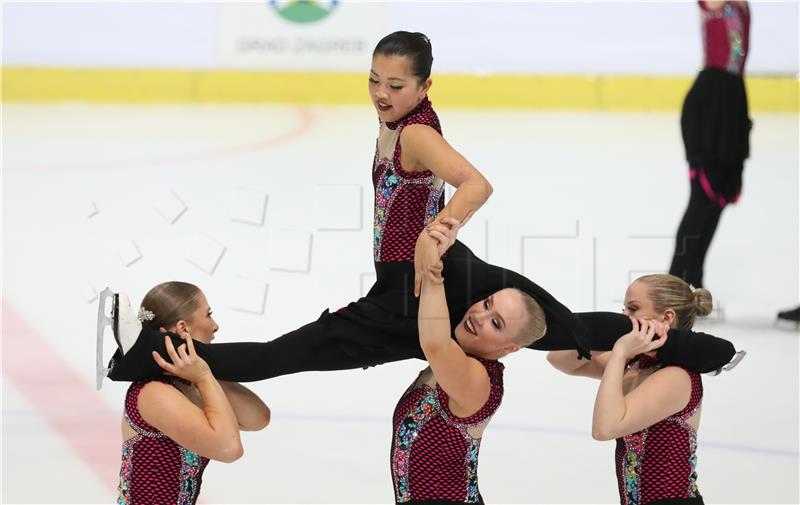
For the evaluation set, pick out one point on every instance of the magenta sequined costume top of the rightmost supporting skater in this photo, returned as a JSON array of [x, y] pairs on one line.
[[659, 462]]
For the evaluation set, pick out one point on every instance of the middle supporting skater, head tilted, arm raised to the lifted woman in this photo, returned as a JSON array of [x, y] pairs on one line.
[[440, 419]]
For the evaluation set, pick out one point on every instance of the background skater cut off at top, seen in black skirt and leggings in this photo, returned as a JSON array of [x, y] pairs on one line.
[[716, 130]]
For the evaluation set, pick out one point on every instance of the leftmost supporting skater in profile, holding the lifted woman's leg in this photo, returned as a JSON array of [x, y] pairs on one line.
[[174, 424]]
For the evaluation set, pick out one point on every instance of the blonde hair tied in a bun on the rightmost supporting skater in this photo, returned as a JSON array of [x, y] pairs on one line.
[[670, 292]]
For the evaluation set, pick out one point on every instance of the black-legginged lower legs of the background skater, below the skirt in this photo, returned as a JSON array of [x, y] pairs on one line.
[[694, 236]]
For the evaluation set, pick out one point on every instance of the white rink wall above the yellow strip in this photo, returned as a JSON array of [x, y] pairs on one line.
[[640, 38]]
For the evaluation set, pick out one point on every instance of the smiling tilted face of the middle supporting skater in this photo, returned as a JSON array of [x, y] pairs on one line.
[[490, 326]]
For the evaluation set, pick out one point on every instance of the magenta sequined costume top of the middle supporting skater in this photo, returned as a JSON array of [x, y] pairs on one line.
[[433, 455]]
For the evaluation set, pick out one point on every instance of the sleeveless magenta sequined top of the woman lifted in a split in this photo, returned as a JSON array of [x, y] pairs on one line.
[[405, 202]]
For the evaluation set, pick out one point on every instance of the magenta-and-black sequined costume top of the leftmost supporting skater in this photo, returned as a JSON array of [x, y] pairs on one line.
[[154, 468]]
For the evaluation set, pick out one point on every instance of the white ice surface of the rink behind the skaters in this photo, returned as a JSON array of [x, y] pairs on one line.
[[269, 210]]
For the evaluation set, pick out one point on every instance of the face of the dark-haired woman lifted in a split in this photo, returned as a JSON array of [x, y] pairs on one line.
[[394, 90]]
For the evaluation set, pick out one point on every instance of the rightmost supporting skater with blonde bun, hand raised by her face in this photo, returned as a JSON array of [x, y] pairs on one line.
[[651, 409]]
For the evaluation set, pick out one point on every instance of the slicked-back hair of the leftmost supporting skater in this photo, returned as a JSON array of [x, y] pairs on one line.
[[170, 302]]
